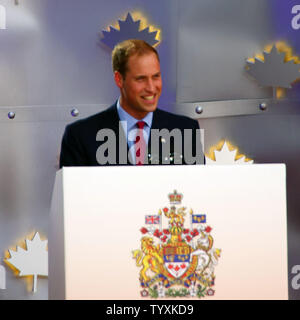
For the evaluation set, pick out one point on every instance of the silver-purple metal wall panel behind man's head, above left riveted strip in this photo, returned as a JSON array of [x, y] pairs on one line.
[[51, 53]]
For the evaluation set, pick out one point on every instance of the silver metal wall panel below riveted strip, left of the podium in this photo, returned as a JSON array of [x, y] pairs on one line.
[[27, 170]]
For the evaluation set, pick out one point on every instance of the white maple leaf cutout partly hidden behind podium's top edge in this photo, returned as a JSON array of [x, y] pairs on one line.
[[225, 156]]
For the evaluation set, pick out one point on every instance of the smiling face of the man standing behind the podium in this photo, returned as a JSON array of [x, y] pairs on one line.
[[141, 87]]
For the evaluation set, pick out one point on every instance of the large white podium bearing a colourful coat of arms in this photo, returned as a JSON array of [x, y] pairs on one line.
[[237, 249]]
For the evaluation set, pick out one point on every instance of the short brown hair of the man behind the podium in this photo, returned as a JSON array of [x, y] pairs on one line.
[[125, 49]]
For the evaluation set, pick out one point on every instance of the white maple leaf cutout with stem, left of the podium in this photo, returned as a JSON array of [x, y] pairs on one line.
[[33, 261]]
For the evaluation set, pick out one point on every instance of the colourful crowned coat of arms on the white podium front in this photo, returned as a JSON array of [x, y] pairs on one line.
[[176, 261]]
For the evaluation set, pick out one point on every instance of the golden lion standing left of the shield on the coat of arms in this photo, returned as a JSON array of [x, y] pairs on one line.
[[150, 257]]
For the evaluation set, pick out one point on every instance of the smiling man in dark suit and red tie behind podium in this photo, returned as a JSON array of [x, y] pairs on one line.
[[133, 130]]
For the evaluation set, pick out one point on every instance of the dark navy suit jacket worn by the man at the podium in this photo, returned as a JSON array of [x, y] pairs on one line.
[[79, 145]]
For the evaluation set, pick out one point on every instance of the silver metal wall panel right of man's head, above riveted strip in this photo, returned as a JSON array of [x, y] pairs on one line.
[[214, 39]]
